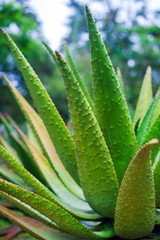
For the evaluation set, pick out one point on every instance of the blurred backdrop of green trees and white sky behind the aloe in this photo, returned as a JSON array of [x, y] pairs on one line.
[[130, 30]]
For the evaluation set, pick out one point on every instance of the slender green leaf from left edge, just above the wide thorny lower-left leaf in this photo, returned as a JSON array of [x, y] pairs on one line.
[[84, 212]]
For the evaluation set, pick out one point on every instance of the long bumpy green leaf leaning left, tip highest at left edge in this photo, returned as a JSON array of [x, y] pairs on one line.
[[55, 125]]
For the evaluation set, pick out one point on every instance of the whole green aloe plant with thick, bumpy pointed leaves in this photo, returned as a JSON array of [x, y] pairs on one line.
[[99, 183]]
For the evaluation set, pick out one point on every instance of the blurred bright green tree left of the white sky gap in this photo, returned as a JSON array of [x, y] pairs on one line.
[[22, 25]]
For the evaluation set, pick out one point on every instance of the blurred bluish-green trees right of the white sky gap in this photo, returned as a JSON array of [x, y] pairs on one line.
[[131, 32]]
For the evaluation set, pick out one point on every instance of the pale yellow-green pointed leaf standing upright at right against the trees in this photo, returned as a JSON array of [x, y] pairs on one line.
[[145, 97]]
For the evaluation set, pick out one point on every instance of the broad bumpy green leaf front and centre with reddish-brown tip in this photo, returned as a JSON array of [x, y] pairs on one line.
[[99, 181]]
